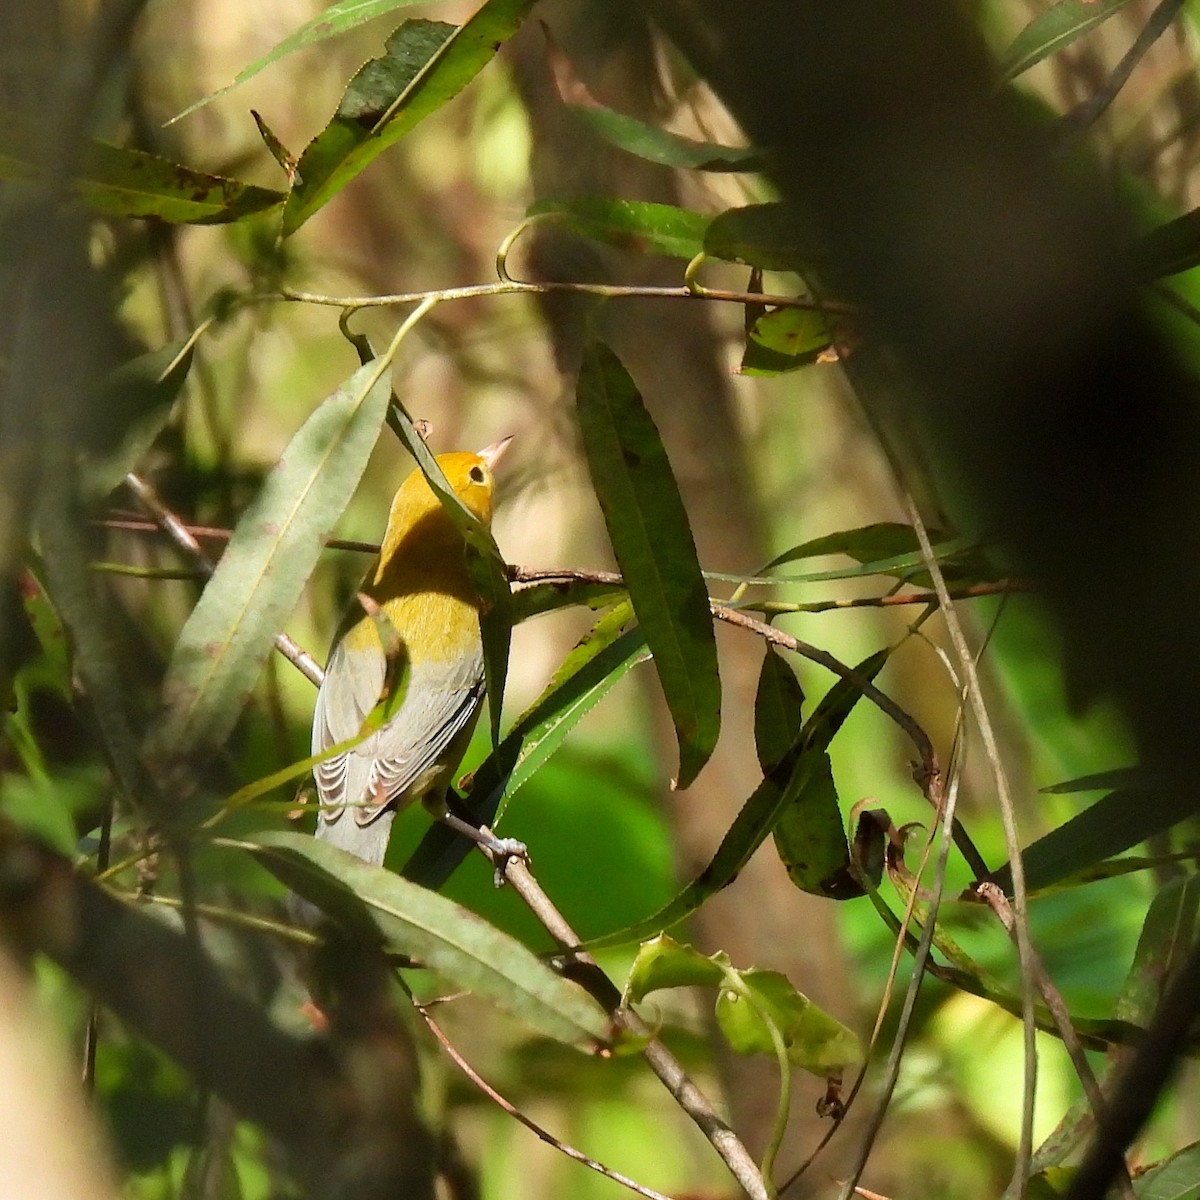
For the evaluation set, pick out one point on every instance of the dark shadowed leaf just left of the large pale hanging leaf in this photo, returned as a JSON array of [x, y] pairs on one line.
[[136, 401]]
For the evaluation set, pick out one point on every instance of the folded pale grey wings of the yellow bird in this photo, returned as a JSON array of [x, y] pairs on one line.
[[441, 703]]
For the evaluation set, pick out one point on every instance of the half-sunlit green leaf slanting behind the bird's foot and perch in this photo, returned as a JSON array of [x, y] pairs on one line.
[[604, 657]]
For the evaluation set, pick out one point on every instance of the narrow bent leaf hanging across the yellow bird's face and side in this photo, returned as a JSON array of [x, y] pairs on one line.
[[489, 572]]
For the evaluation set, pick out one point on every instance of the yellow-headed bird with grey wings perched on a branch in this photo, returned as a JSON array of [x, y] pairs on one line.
[[422, 583]]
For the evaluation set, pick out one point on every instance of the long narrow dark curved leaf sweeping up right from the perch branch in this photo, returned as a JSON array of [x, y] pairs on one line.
[[761, 812]]
